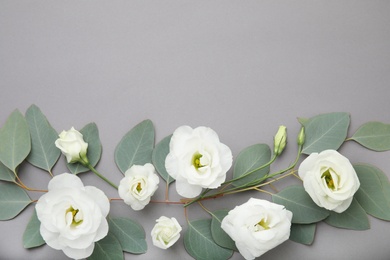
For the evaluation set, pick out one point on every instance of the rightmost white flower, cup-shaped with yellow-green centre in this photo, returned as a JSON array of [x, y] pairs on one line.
[[329, 179]]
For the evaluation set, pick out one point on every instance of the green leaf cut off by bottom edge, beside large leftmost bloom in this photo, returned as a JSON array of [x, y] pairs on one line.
[[108, 248]]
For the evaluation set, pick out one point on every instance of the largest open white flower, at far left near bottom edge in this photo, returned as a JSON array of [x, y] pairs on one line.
[[73, 217]]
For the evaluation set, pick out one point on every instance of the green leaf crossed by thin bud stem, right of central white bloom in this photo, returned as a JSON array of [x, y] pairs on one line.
[[248, 160]]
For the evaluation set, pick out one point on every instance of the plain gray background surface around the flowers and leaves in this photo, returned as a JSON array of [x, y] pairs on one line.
[[241, 67]]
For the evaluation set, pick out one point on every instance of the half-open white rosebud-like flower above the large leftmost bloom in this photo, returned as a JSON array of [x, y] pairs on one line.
[[72, 145]]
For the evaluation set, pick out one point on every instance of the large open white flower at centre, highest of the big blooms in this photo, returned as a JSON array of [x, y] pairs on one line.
[[197, 159]]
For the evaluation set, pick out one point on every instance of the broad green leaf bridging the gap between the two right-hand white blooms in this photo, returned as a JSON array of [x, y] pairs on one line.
[[304, 210]]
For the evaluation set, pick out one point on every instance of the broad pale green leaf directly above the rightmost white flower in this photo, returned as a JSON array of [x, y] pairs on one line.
[[327, 131]]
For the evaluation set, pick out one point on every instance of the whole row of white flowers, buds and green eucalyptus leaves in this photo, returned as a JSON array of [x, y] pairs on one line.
[[75, 218]]
